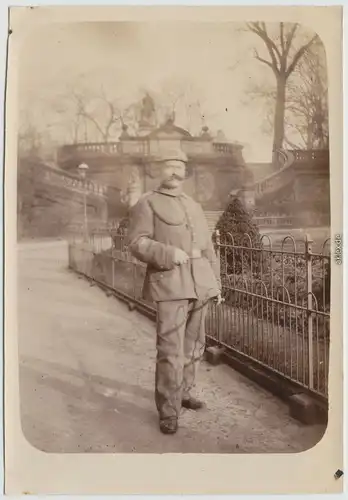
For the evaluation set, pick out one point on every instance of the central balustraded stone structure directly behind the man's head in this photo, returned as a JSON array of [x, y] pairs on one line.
[[128, 166]]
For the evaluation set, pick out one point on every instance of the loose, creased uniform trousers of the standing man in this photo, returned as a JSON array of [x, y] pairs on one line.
[[180, 348]]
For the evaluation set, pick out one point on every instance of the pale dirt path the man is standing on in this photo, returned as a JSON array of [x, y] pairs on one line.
[[87, 373]]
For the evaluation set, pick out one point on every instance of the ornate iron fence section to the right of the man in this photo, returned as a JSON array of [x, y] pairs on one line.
[[277, 306]]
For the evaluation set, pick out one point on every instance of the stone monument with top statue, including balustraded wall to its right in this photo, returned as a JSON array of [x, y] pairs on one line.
[[297, 194]]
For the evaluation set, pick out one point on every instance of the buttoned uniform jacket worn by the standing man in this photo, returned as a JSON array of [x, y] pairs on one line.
[[161, 221]]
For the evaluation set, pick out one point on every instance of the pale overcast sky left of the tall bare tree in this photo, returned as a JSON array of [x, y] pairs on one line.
[[216, 59]]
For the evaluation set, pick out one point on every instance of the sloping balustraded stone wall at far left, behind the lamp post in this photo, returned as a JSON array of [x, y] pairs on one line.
[[51, 202]]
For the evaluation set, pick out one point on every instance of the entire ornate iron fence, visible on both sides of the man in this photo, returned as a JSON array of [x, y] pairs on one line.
[[277, 298]]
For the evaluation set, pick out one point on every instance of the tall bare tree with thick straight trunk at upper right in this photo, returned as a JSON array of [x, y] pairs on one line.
[[283, 59]]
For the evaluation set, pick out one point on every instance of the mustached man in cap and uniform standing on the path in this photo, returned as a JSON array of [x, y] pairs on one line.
[[168, 232]]
